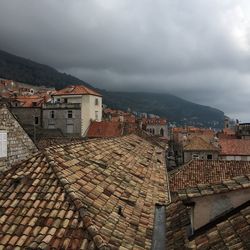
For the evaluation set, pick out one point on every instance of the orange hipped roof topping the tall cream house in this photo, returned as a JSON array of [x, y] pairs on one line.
[[76, 90]]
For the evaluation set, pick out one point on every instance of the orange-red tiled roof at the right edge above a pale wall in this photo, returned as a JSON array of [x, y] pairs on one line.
[[235, 147]]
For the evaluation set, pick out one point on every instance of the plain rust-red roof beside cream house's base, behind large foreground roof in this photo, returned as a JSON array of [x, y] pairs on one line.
[[104, 129]]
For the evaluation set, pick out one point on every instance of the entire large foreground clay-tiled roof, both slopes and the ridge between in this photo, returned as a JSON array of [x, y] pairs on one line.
[[101, 193]]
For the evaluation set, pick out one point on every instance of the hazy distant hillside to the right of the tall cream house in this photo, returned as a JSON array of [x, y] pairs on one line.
[[166, 105]]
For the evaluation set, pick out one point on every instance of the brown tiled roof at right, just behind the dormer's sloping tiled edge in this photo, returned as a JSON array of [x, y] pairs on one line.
[[206, 172]]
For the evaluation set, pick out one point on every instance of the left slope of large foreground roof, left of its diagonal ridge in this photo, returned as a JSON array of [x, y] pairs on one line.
[[36, 212]]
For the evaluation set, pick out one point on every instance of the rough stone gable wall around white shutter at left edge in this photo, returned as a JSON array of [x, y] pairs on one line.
[[19, 145]]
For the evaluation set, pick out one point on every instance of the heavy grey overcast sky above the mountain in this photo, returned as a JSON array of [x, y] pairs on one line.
[[195, 49]]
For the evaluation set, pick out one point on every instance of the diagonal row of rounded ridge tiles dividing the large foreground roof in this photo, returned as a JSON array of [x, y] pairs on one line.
[[81, 207]]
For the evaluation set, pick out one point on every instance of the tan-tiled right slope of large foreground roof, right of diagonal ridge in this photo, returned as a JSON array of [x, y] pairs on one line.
[[122, 182]]
